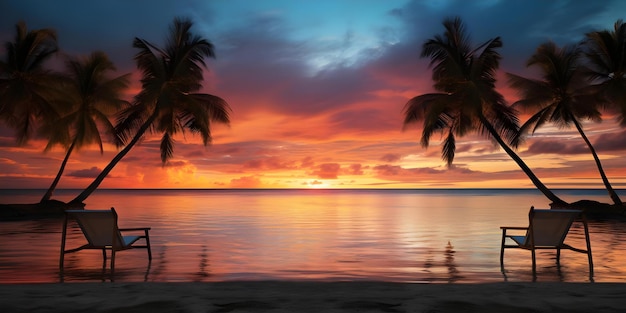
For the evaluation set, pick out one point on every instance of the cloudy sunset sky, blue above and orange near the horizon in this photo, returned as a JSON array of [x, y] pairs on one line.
[[317, 90]]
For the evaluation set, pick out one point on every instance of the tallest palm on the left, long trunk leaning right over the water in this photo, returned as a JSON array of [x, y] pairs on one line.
[[169, 101]]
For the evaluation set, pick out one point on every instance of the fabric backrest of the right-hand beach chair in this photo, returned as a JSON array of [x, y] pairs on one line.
[[549, 227]]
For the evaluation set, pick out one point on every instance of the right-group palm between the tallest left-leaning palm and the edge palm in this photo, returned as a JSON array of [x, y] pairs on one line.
[[561, 97]]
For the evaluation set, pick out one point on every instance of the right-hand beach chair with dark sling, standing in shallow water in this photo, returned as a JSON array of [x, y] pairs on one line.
[[547, 229]]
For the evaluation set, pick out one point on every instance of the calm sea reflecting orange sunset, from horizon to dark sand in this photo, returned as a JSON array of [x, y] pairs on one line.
[[328, 235]]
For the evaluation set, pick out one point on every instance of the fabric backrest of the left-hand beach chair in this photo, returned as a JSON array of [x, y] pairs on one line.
[[98, 226]]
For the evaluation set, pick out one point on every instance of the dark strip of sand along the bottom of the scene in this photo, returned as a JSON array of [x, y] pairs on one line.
[[313, 297]]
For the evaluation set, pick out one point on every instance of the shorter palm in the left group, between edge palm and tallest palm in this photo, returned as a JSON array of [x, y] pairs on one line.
[[94, 96]]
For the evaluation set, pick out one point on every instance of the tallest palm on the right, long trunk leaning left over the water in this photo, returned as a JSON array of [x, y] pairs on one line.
[[467, 100]]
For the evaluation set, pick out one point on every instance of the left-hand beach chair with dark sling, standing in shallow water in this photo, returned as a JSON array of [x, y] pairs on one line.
[[100, 229]]
